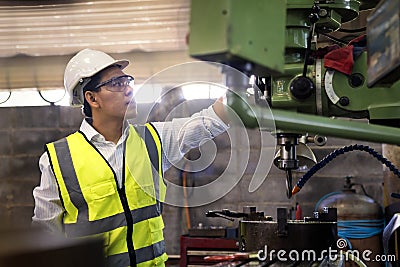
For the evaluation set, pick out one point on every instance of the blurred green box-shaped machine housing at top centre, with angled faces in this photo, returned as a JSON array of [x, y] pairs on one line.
[[247, 35]]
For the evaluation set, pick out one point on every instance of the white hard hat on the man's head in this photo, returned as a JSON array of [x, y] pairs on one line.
[[85, 64]]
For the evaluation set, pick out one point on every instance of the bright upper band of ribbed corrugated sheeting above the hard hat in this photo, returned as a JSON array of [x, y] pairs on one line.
[[117, 26]]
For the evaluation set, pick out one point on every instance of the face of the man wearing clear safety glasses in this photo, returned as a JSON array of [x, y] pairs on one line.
[[115, 104]]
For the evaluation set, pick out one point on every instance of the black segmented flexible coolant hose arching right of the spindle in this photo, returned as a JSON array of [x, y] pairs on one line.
[[341, 151]]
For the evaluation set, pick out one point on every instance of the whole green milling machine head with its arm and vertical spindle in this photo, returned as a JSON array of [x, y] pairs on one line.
[[277, 43]]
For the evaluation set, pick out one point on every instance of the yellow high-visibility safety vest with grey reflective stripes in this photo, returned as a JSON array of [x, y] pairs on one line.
[[128, 218]]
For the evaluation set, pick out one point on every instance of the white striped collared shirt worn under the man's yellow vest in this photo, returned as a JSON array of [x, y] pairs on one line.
[[177, 136]]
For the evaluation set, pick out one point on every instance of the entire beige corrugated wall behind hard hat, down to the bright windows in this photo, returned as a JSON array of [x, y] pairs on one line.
[[37, 38]]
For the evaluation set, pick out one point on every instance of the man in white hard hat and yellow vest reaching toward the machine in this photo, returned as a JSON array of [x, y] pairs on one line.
[[106, 179]]
